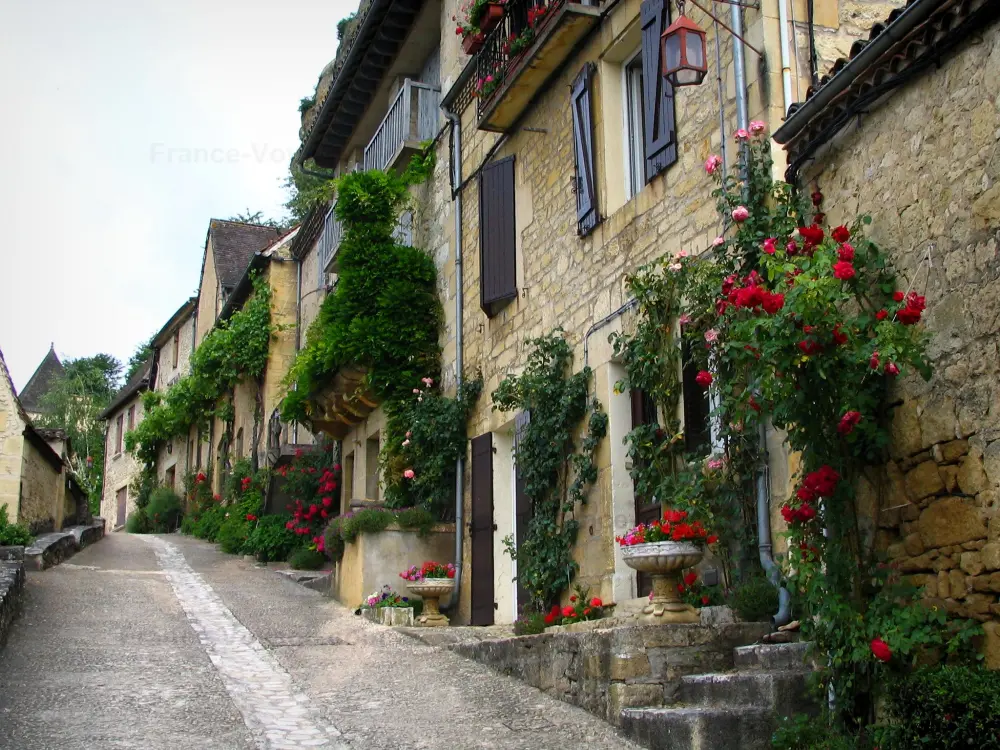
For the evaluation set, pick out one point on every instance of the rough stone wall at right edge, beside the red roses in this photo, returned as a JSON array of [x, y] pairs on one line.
[[923, 164]]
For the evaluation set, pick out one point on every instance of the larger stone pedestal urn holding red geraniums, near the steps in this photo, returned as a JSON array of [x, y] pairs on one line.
[[665, 561]]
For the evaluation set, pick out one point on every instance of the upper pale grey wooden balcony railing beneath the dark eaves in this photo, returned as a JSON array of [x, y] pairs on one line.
[[412, 119]]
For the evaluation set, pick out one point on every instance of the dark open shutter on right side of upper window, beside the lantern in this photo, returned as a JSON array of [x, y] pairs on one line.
[[658, 94]]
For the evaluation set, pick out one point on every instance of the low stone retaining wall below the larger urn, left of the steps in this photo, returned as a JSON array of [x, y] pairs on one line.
[[607, 670]]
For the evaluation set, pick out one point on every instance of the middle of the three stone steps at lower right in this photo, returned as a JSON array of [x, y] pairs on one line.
[[784, 692]]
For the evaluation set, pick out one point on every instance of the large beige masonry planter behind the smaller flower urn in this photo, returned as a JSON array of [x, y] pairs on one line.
[[373, 560]]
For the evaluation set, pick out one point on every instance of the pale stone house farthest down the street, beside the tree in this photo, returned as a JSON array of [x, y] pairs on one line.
[[120, 467]]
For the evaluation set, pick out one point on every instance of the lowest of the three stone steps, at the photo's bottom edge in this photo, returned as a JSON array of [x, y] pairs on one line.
[[700, 728]]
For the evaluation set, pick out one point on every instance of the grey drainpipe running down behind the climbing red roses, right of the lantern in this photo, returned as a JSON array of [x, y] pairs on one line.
[[764, 547]]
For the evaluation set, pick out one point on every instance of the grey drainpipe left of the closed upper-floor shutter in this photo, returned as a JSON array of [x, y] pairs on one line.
[[456, 203]]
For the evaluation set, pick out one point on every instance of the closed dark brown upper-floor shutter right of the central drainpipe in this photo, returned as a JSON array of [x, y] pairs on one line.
[[497, 249]]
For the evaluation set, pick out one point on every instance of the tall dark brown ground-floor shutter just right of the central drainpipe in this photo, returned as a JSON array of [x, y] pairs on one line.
[[481, 530]]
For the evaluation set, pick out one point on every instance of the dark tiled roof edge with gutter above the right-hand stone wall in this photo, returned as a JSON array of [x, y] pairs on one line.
[[910, 40]]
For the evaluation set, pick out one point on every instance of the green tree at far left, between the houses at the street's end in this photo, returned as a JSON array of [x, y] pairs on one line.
[[74, 404]]
